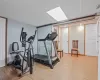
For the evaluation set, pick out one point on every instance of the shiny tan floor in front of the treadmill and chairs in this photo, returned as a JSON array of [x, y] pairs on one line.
[[69, 68]]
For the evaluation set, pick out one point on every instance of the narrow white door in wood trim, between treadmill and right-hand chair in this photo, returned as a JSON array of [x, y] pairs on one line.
[[65, 40]]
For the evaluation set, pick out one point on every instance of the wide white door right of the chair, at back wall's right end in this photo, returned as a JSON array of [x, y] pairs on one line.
[[91, 40]]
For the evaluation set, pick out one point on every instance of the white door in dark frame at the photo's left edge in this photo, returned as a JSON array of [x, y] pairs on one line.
[[2, 42]]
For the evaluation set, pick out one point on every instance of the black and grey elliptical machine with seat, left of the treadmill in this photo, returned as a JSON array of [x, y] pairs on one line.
[[28, 55]]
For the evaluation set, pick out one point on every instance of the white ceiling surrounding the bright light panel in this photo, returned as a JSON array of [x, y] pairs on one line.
[[34, 11]]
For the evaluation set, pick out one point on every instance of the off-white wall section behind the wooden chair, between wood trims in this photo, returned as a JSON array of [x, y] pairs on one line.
[[76, 34]]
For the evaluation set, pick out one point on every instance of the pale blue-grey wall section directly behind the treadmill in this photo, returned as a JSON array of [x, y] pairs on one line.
[[42, 33]]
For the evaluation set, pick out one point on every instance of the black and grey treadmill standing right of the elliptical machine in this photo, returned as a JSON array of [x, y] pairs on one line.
[[48, 59]]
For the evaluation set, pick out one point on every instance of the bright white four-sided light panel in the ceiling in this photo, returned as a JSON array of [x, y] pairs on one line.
[[57, 14]]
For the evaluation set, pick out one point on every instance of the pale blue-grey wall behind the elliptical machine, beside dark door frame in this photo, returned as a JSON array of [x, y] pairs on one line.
[[14, 31]]
